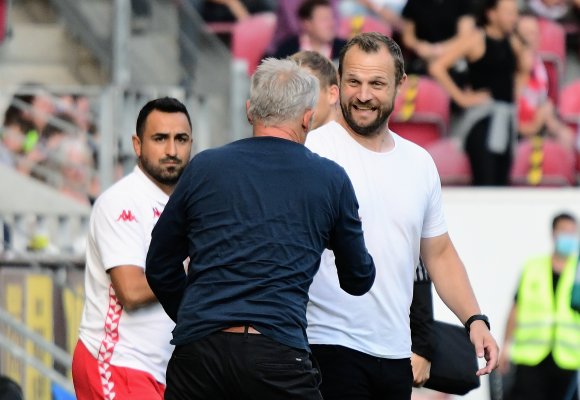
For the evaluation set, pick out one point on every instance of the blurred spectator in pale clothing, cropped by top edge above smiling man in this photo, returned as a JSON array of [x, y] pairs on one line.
[[387, 10]]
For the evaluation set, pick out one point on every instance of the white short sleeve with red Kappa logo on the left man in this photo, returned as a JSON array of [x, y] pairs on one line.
[[119, 234]]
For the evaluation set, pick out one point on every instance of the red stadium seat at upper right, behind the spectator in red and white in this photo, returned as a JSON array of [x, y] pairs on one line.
[[553, 53]]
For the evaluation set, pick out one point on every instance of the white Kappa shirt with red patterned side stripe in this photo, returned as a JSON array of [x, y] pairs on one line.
[[119, 234]]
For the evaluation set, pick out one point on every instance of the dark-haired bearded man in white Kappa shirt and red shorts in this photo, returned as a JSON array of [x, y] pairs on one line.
[[123, 346]]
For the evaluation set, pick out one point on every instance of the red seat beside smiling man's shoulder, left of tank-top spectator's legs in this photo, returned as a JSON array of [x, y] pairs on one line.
[[451, 161]]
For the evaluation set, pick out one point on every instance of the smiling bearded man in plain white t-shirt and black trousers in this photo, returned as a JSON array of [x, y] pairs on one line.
[[363, 344]]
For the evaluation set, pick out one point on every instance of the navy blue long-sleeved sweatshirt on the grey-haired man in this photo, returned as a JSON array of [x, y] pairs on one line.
[[254, 217]]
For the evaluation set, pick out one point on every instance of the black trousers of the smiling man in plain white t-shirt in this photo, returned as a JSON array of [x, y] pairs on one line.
[[351, 375]]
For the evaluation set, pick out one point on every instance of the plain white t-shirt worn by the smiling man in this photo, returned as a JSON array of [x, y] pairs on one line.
[[399, 195]]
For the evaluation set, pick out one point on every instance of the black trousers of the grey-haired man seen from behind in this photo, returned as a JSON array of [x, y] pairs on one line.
[[241, 366]]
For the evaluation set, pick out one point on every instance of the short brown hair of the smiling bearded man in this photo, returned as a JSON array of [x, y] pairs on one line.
[[370, 42]]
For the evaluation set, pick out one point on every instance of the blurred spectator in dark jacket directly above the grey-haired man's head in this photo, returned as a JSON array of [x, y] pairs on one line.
[[317, 33]]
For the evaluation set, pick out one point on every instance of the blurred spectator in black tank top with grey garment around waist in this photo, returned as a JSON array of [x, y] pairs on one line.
[[488, 124]]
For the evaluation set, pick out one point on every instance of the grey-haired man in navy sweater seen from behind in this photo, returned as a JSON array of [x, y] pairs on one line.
[[254, 217]]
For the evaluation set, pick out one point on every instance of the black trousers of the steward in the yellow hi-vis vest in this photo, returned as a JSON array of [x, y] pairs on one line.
[[545, 381]]
